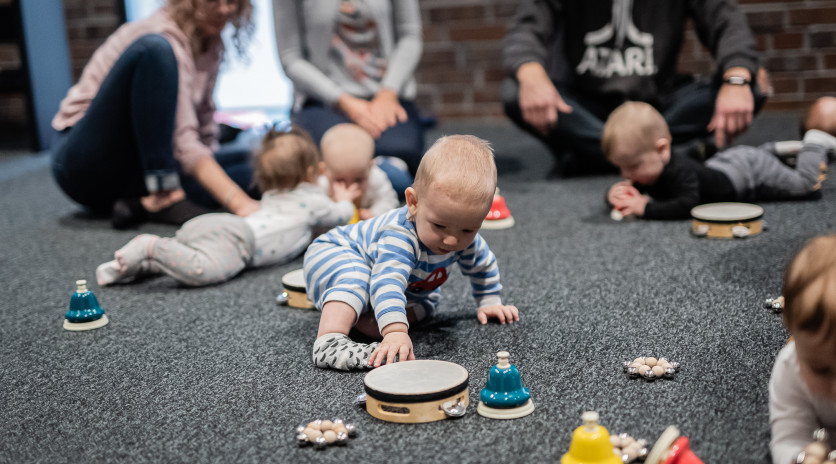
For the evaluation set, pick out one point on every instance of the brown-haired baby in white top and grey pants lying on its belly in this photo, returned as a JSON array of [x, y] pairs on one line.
[[213, 248]]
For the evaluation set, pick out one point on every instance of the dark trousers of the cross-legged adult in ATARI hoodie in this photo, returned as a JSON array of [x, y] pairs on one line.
[[687, 110]]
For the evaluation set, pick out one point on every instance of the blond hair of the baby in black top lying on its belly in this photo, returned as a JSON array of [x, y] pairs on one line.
[[634, 123]]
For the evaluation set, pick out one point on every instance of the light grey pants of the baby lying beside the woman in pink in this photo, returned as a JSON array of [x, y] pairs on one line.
[[208, 249]]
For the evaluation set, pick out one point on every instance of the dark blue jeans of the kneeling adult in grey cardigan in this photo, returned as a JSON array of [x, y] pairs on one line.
[[404, 141]]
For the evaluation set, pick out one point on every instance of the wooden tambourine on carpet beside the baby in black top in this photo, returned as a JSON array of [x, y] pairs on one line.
[[726, 220]]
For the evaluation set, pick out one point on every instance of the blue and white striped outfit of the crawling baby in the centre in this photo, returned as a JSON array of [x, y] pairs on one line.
[[402, 268]]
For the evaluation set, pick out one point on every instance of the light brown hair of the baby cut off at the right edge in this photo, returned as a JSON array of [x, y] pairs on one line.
[[809, 289]]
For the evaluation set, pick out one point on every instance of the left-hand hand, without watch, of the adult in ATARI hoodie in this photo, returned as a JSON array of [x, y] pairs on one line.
[[540, 102]]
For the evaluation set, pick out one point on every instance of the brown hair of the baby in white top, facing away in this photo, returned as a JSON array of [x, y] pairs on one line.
[[286, 158]]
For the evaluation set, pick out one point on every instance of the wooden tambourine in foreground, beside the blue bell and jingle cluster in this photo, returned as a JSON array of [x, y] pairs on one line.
[[412, 392]]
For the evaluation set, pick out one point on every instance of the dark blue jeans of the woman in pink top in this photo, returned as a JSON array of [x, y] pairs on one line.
[[127, 133]]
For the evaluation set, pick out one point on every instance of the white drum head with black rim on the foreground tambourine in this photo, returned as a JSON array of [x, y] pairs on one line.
[[416, 381]]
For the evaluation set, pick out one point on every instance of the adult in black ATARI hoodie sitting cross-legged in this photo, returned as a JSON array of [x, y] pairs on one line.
[[572, 62]]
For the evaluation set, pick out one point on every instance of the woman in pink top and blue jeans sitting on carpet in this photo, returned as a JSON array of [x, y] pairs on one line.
[[137, 130]]
